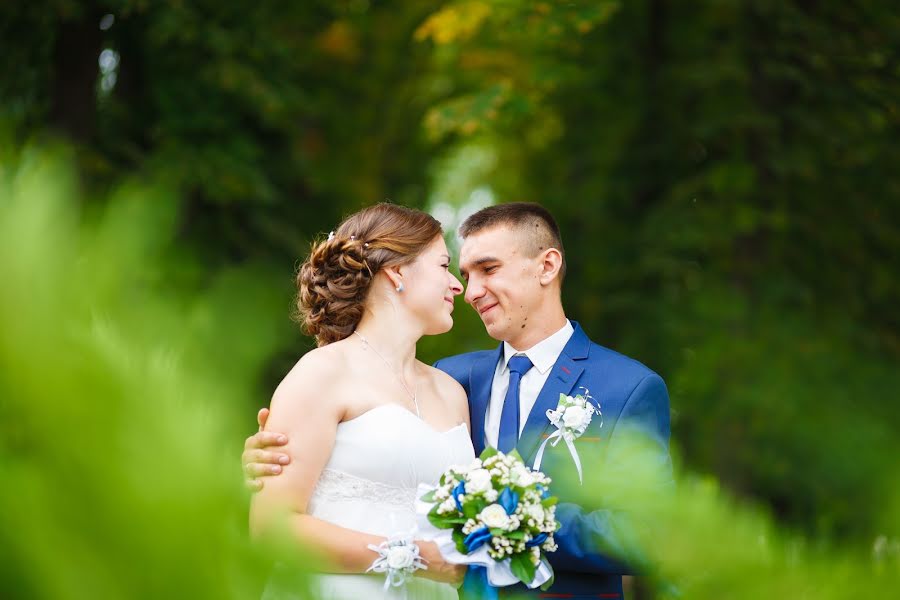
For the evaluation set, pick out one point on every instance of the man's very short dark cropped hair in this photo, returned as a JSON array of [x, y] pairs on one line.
[[535, 222]]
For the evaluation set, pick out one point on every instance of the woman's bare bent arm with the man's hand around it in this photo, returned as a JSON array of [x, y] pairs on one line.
[[307, 408]]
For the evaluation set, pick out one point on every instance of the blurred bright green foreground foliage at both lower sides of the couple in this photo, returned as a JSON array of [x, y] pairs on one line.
[[123, 395]]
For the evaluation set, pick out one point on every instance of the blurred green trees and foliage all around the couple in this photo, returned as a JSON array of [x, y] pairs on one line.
[[725, 175]]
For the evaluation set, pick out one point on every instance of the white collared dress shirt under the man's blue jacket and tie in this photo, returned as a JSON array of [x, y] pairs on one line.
[[543, 356]]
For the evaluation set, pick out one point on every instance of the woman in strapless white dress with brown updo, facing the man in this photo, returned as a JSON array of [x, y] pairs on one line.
[[370, 421]]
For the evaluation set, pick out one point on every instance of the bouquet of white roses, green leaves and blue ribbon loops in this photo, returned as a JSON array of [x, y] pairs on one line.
[[496, 513]]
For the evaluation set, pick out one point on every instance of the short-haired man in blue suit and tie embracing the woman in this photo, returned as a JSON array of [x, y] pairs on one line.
[[513, 261]]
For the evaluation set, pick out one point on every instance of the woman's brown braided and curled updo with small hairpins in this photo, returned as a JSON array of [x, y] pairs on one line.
[[335, 279]]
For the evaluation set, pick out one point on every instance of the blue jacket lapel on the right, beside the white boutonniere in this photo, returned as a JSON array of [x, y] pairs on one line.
[[563, 376]]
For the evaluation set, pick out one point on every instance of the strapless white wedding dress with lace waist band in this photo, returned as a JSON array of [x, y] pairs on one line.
[[369, 485]]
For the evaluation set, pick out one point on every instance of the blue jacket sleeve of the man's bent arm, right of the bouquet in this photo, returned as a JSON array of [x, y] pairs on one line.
[[599, 533]]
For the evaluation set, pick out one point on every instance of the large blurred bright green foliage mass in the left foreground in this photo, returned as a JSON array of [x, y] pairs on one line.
[[120, 398]]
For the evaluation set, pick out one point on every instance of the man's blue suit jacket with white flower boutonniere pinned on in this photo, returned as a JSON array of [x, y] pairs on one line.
[[630, 395]]
